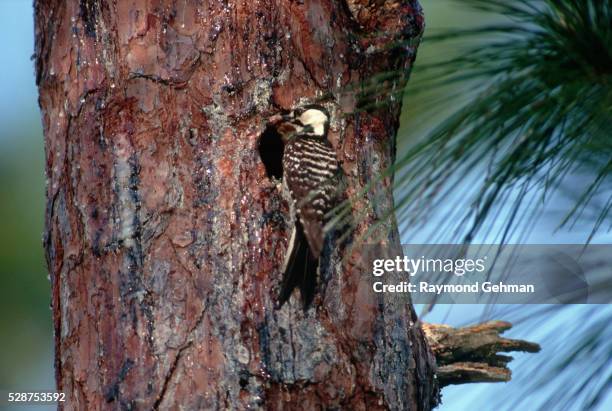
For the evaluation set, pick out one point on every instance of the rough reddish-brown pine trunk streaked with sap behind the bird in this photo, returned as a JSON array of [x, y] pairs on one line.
[[165, 237]]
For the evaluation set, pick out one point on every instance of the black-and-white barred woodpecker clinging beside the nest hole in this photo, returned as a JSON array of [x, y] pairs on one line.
[[311, 176]]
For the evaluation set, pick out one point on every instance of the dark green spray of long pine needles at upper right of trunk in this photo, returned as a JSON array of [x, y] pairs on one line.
[[538, 109]]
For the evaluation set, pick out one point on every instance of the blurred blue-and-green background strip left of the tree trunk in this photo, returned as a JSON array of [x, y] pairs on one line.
[[26, 359]]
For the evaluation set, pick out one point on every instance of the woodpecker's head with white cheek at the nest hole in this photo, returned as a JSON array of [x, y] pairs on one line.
[[311, 120]]
